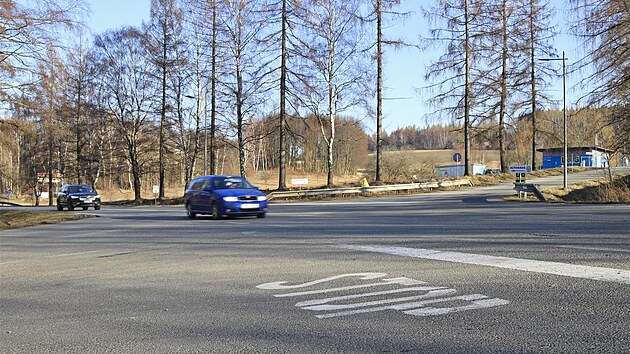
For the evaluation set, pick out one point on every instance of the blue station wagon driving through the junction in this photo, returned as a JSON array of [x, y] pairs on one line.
[[220, 196]]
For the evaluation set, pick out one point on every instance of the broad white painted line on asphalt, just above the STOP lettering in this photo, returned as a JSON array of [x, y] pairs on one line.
[[568, 270]]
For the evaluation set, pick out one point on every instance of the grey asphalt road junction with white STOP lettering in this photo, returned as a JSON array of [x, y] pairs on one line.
[[459, 271]]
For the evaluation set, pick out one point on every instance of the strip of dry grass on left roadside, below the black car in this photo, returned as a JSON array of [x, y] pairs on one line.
[[13, 219]]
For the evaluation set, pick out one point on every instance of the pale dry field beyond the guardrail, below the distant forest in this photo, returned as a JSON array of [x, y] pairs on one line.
[[444, 157]]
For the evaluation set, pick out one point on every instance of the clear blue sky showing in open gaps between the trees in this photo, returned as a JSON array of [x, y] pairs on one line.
[[403, 69]]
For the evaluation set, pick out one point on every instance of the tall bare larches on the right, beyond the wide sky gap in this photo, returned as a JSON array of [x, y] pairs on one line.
[[490, 73]]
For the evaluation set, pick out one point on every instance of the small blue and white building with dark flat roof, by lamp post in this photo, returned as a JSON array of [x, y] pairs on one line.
[[595, 157]]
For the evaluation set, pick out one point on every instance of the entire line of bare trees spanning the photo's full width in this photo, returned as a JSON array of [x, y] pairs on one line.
[[265, 83]]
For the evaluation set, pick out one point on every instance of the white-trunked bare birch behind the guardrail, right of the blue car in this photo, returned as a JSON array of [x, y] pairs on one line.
[[333, 69]]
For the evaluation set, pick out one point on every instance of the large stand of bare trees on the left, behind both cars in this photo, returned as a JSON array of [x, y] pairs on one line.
[[198, 78]]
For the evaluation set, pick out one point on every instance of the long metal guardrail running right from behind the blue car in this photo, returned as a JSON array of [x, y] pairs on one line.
[[367, 190]]
